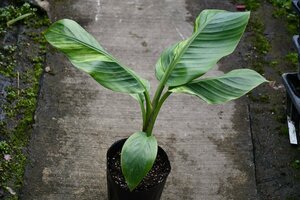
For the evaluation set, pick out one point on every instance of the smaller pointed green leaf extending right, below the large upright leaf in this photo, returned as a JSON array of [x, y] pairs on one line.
[[221, 89]]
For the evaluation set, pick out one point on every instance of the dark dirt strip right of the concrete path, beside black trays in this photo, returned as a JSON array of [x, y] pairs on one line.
[[276, 177]]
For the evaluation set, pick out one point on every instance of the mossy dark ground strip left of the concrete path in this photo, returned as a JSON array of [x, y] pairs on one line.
[[22, 58]]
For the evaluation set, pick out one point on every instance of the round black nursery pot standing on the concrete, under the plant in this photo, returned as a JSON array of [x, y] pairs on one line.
[[117, 191]]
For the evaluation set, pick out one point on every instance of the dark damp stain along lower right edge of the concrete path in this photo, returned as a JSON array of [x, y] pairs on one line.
[[237, 150]]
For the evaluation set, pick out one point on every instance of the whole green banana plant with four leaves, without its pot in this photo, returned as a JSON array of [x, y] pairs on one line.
[[178, 70]]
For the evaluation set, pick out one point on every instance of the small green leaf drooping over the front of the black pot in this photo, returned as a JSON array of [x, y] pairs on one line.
[[137, 158]]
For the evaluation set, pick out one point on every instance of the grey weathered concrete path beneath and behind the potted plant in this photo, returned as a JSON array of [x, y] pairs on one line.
[[210, 147]]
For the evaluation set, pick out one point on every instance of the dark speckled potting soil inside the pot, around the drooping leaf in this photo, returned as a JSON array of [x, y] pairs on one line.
[[157, 174]]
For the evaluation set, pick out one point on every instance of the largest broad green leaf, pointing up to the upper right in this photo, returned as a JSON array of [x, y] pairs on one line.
[[216, 34]]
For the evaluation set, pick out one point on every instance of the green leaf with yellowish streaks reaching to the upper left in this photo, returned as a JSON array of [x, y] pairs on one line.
[[86, 54]]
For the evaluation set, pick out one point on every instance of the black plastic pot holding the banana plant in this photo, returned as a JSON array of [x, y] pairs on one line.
[[115, 192]]
